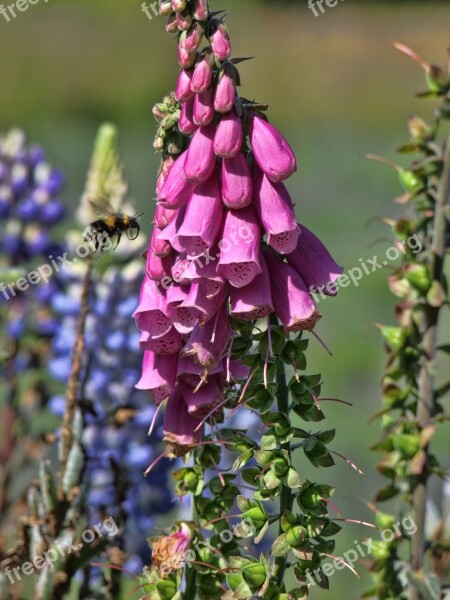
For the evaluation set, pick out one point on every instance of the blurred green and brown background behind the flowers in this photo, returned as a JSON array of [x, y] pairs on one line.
[[336, 88]]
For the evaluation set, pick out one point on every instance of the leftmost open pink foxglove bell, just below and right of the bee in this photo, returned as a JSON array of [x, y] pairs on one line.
[[152, 314]]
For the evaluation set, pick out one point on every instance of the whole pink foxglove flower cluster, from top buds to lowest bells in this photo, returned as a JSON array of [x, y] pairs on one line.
[[226, 243]]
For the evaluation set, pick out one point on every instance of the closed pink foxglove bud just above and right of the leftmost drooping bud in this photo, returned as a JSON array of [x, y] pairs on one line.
[[200, 157]]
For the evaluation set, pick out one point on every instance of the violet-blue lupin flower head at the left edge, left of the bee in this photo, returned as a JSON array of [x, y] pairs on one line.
[[29, 202]]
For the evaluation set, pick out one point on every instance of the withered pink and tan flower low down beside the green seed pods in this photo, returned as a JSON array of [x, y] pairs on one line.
[[170, 551]]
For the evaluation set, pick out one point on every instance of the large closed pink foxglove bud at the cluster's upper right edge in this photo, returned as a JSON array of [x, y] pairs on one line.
[[271, 151]]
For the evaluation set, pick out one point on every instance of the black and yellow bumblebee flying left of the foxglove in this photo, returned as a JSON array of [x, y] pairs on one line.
[[111, 224]]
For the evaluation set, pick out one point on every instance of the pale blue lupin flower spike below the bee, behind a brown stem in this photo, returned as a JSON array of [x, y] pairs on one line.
[[114, 437]]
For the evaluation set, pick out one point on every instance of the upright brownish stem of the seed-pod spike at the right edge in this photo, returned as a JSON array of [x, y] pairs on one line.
[[426, 402]]
